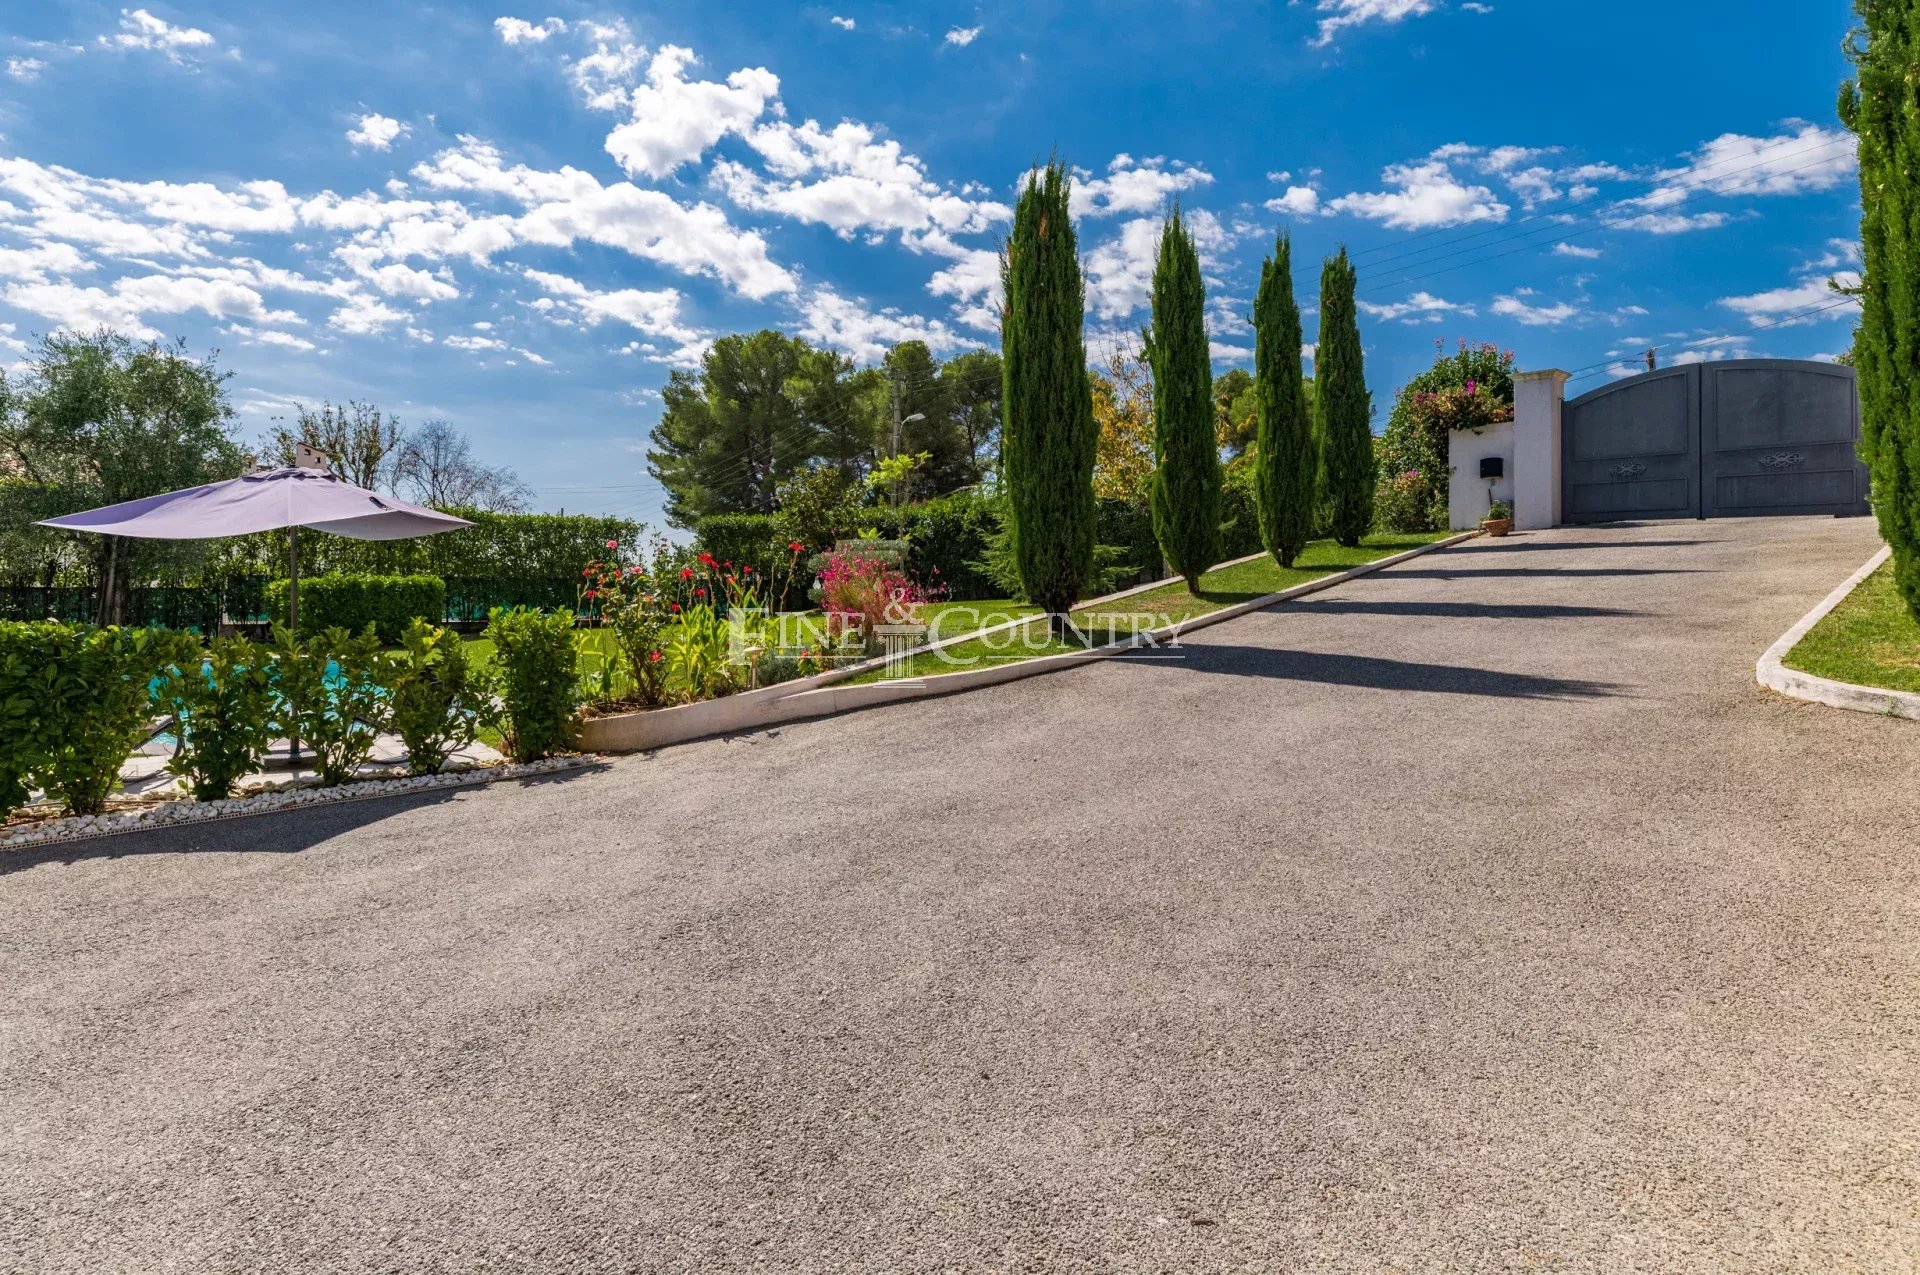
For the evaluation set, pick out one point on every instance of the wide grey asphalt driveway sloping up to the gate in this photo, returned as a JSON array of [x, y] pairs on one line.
[[1481, 915]]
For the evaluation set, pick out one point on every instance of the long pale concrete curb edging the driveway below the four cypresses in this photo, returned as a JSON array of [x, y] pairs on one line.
[[638, 733]]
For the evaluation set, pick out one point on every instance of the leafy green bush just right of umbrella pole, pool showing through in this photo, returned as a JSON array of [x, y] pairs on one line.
[[337, 696]]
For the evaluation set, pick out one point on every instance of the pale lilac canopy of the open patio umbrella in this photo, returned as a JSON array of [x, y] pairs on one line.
[[266, 502]]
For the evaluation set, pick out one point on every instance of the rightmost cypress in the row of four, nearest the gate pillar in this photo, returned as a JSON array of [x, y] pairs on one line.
[[1343, 408]]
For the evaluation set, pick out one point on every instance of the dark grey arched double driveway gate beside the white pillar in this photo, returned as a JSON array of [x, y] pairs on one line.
[[1712, 441]]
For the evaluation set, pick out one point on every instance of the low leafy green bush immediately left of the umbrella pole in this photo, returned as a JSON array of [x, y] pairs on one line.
[[226, 715]]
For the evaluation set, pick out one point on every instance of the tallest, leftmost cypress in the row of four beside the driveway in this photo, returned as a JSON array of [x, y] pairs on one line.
[[1047, 420]]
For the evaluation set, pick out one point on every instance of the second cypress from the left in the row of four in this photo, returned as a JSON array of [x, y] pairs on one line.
[[1186, 491]]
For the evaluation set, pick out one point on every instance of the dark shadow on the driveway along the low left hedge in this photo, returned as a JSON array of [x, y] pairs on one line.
[[281, 832]]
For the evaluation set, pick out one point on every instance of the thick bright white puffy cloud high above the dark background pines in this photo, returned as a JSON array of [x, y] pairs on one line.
[[677, 120]]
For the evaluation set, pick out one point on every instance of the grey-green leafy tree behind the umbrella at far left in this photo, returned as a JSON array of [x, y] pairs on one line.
[[101, 420]]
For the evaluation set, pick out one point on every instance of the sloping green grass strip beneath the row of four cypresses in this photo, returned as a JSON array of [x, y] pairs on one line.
[[1220, 589]]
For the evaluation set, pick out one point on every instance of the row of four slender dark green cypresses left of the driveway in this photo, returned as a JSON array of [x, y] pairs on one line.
[[1312, 466]]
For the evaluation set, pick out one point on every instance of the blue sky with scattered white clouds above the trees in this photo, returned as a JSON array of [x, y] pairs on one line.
[[523, 218]]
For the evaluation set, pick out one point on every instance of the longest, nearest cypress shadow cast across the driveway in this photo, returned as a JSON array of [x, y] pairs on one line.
[[1380, 675]]
